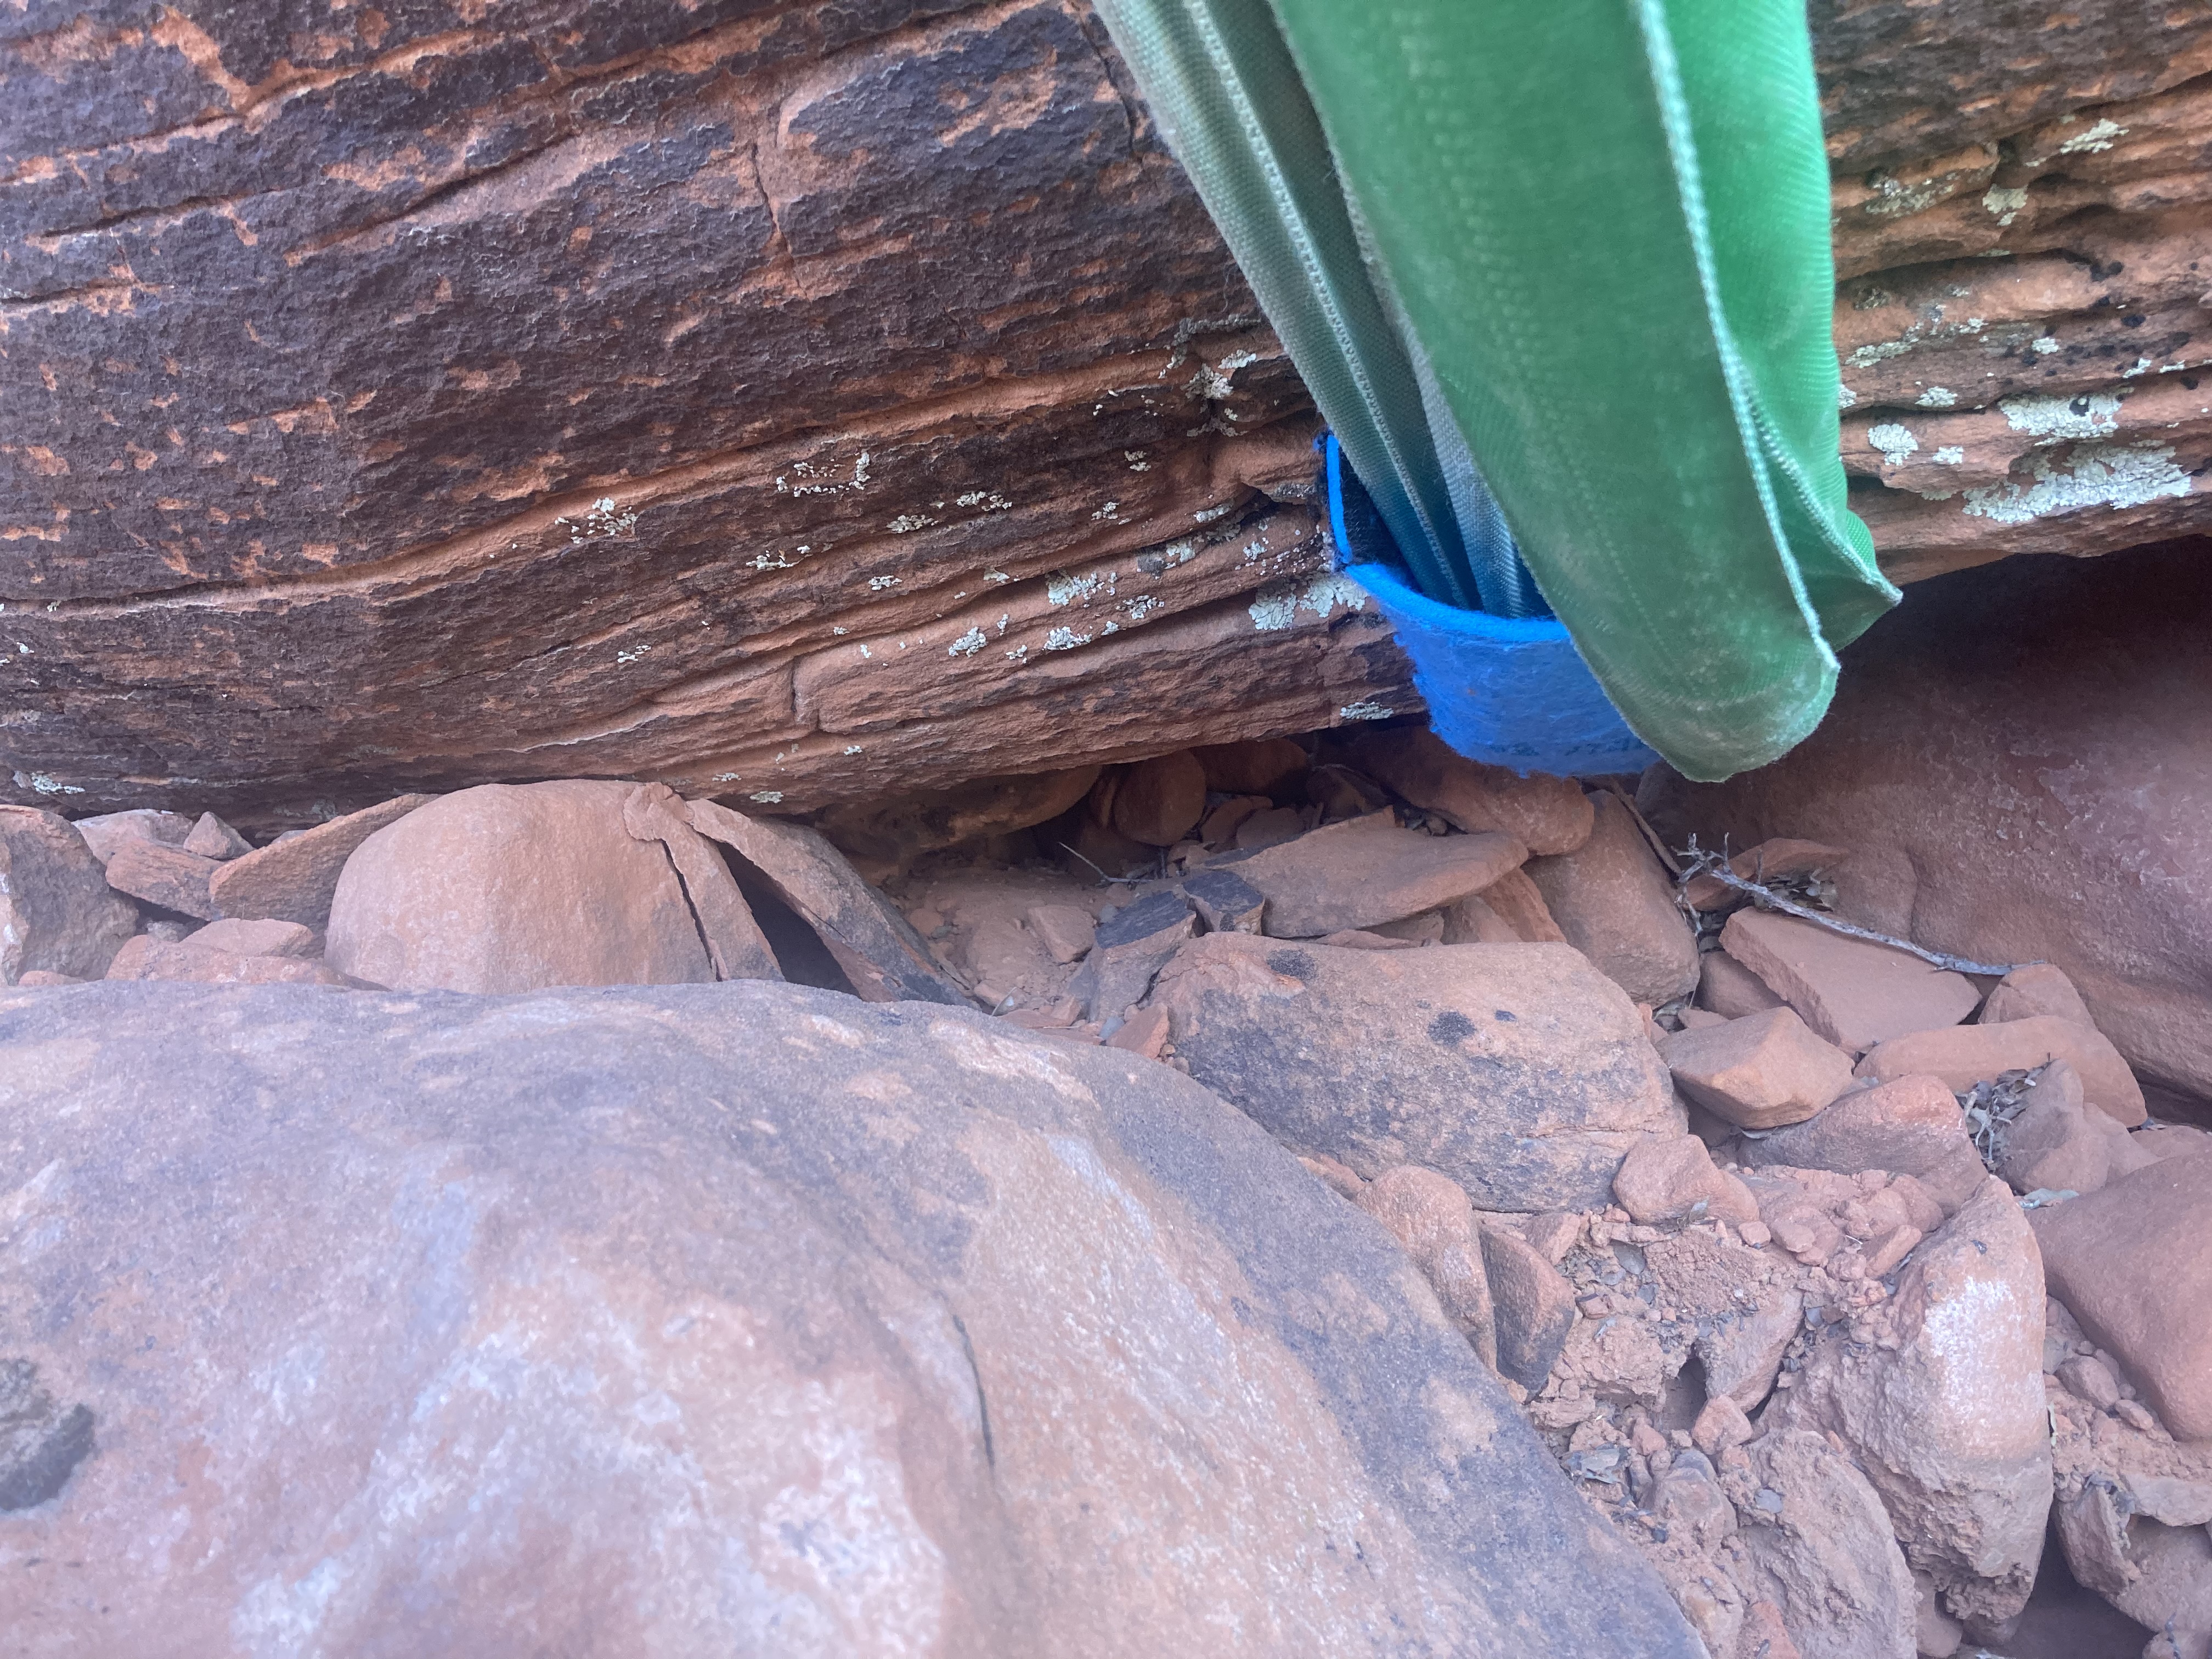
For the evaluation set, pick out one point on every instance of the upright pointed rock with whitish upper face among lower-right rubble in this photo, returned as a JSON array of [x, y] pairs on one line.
[[1941, 1401]]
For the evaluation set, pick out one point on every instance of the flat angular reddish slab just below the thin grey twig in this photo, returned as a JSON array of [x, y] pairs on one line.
[[1853, 992]]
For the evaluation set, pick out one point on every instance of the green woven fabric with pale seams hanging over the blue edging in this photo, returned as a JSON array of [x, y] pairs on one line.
[[1598, 229]]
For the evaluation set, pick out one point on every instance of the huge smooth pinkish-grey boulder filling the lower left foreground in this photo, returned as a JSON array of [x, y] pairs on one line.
[[724, 1319]]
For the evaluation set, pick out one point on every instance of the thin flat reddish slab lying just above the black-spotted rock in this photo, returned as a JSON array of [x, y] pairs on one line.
[[1368, 870]]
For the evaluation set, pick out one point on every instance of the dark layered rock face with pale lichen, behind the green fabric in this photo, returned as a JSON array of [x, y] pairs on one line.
[[808, 404]]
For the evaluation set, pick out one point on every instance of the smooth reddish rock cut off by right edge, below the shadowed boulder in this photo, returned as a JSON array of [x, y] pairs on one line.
[[2133, 1264]]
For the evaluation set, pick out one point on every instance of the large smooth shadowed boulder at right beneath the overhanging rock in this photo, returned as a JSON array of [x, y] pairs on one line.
[[1987, 804]]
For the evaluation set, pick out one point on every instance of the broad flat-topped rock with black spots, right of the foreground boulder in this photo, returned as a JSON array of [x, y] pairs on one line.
[[1516, 1070]]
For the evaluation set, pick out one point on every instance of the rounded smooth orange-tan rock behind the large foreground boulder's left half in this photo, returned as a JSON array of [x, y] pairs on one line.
[[510, 888]]
